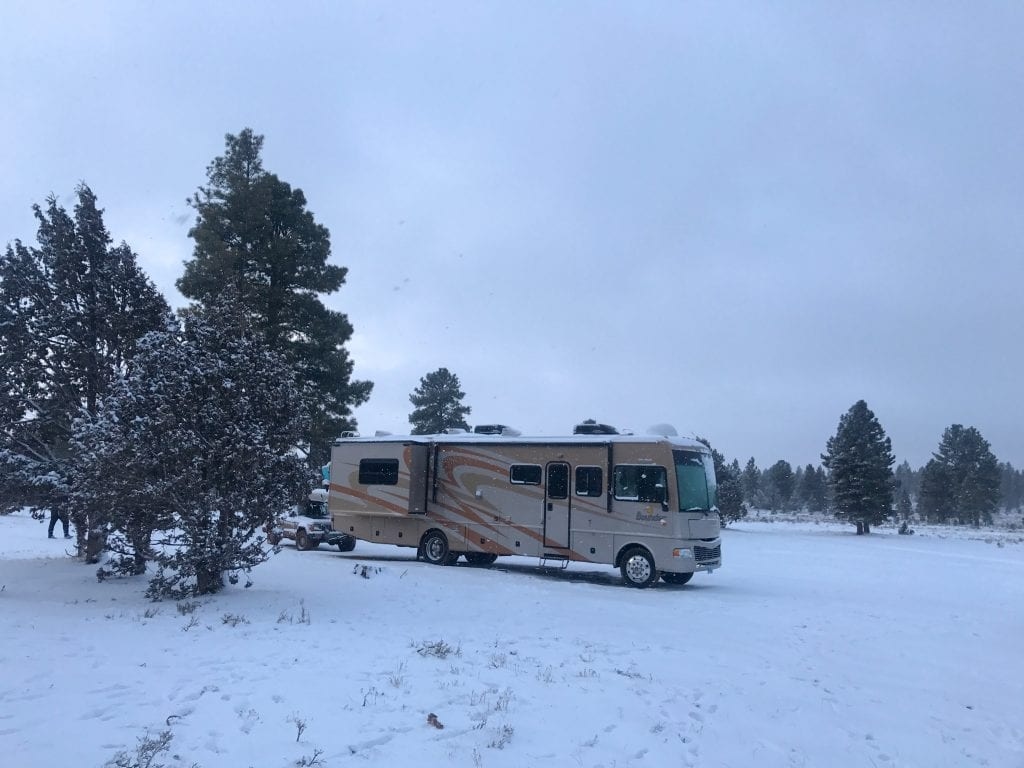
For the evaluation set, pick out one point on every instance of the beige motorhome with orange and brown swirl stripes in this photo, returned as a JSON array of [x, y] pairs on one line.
[[646, 504]]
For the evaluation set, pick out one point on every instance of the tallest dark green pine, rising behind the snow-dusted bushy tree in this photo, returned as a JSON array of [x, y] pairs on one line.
[[253, 233]]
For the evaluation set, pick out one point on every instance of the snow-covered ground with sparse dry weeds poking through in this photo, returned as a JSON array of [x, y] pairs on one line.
[[810, 648]]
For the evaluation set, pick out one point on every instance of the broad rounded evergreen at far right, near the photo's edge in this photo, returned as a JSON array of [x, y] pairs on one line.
[[963, 479]]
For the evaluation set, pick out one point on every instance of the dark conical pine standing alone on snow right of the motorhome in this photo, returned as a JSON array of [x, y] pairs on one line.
[[860, 461]]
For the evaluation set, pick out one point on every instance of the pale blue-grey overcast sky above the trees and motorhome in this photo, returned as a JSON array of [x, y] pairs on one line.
[[739, 219]]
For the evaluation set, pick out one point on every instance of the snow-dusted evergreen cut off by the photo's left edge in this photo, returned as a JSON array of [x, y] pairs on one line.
[[72, 311]]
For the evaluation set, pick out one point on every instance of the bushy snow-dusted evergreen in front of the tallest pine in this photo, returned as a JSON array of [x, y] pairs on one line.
[[193, 453]]
